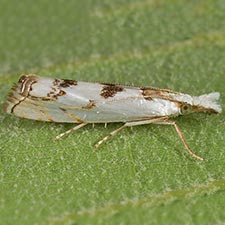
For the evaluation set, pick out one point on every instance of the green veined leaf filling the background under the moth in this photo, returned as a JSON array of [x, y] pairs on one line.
[[143, 175]]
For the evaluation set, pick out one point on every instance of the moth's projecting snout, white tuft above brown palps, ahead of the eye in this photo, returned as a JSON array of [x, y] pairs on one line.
[[206, 103]]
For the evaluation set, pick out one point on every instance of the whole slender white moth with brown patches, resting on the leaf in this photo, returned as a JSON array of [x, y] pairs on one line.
[[71, 101]]
